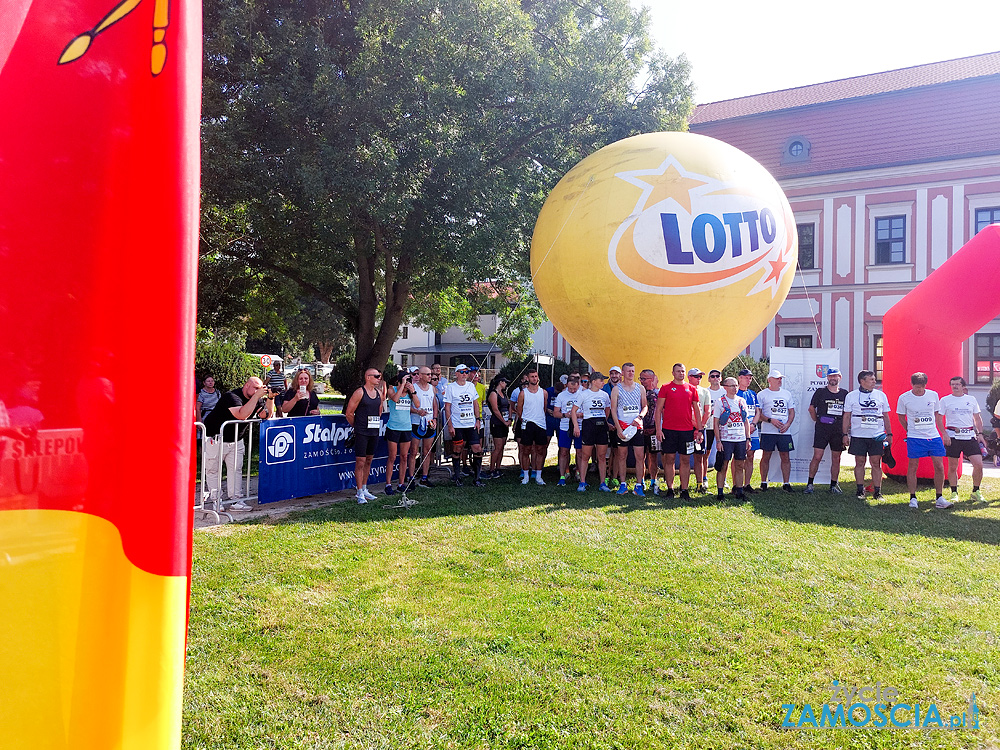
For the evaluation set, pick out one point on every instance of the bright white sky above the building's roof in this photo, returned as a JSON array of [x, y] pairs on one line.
[[742, 48]]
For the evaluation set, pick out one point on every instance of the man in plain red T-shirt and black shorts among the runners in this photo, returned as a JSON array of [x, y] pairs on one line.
[[678, 422]]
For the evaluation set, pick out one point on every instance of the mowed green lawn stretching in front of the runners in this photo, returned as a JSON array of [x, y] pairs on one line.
[[537, 617]]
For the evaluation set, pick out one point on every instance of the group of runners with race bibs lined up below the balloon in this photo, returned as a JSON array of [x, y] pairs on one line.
[[629, 422]]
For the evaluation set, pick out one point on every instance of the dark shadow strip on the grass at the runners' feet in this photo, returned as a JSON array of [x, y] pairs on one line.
[[822, 508]]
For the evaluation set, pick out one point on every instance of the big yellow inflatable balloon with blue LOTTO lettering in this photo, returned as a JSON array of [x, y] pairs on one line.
[[664, 248]]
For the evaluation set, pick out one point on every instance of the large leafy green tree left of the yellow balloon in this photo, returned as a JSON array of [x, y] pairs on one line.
[[388, 155]]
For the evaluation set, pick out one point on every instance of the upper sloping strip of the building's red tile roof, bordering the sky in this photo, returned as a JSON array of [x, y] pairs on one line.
[[947, 71]]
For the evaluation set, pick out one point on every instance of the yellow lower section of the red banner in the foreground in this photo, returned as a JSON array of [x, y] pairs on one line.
[[91, 647]]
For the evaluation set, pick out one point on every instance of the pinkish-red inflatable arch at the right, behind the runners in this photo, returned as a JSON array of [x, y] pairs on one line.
[[925, 330]]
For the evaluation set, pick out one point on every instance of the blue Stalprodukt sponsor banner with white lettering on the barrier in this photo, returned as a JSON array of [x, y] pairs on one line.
[[301, 456]]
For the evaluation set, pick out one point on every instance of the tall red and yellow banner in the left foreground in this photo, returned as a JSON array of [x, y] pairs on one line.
[[98, 248]]
